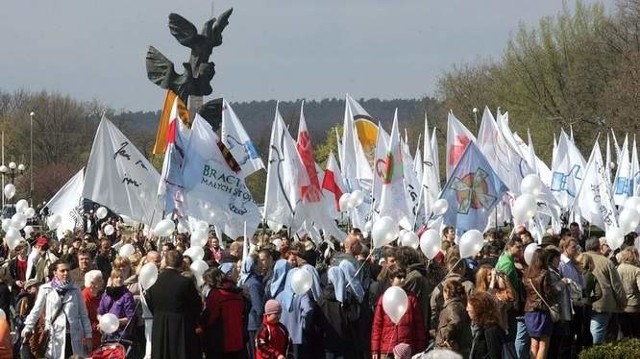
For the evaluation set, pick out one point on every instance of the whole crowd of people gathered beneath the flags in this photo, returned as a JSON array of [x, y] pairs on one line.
[[572, 292]]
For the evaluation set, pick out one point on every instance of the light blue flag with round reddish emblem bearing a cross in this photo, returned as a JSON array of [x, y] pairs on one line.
[[473, 190]]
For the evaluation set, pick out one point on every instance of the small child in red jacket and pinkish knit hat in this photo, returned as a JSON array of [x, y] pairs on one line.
[[272, 338]]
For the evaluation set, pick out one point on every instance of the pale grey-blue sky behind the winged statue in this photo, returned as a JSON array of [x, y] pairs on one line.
[[278, 49]]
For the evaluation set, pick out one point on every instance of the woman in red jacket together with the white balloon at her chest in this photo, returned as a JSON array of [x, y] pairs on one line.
[[397, 319]]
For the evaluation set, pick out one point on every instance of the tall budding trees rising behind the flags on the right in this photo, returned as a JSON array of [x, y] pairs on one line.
[[563, 72]]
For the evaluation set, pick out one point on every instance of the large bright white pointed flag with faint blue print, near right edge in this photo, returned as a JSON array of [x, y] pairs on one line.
[[594, 199]]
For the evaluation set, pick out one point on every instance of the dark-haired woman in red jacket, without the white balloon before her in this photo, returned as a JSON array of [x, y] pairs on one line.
[[385, 335]]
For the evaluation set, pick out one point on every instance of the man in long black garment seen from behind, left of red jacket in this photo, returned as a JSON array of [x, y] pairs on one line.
[[176, 305]]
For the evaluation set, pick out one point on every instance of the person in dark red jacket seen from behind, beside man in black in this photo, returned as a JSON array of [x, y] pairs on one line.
[[224, 322]]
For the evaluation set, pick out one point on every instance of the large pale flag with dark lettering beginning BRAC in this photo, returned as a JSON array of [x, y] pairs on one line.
[[214, 192]]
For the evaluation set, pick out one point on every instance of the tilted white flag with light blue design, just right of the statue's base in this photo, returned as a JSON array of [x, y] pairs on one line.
[[235, 138]]
